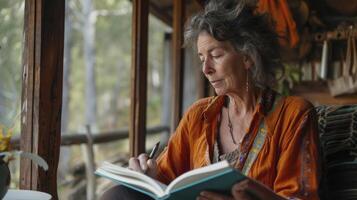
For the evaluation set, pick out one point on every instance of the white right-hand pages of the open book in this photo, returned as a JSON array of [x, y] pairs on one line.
[[197, 174]]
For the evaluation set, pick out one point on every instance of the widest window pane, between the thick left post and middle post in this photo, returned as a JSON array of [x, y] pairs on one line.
[[96, 84]]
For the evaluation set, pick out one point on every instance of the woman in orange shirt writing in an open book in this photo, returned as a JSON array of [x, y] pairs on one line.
[[272, 139]]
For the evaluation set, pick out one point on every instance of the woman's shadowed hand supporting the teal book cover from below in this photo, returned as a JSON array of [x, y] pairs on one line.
[[244, 190]]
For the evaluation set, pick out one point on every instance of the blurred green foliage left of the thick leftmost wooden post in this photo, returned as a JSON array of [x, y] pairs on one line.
[[11, 25]]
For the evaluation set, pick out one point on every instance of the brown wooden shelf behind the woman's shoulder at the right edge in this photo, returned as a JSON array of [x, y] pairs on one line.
[[317, 92]]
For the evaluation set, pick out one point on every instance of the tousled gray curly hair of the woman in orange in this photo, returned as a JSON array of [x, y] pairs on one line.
[[249, 33]]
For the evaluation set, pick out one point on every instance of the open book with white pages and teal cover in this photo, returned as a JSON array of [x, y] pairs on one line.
[[218, 177]]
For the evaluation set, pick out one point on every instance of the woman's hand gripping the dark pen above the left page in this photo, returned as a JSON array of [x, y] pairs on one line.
[[144, 165]]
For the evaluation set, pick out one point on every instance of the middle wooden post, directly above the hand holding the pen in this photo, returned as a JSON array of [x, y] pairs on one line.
[[139, 76]]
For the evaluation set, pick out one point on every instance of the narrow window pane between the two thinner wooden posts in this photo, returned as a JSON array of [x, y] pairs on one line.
[[156, 81]]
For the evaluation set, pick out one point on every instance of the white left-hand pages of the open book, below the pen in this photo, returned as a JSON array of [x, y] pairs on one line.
[[127, 174]]
